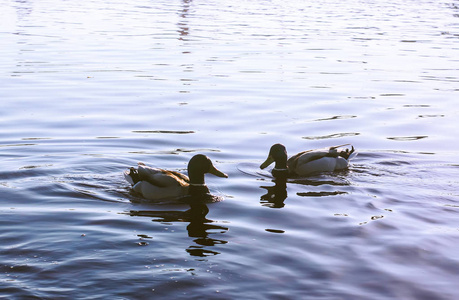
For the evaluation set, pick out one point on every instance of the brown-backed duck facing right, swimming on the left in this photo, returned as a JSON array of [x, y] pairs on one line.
[[155, 183]]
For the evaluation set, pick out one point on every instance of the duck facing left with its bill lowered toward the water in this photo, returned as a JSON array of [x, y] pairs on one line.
[[308, 162]]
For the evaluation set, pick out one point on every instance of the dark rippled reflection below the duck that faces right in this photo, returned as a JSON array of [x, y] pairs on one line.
[[199, 226]]
